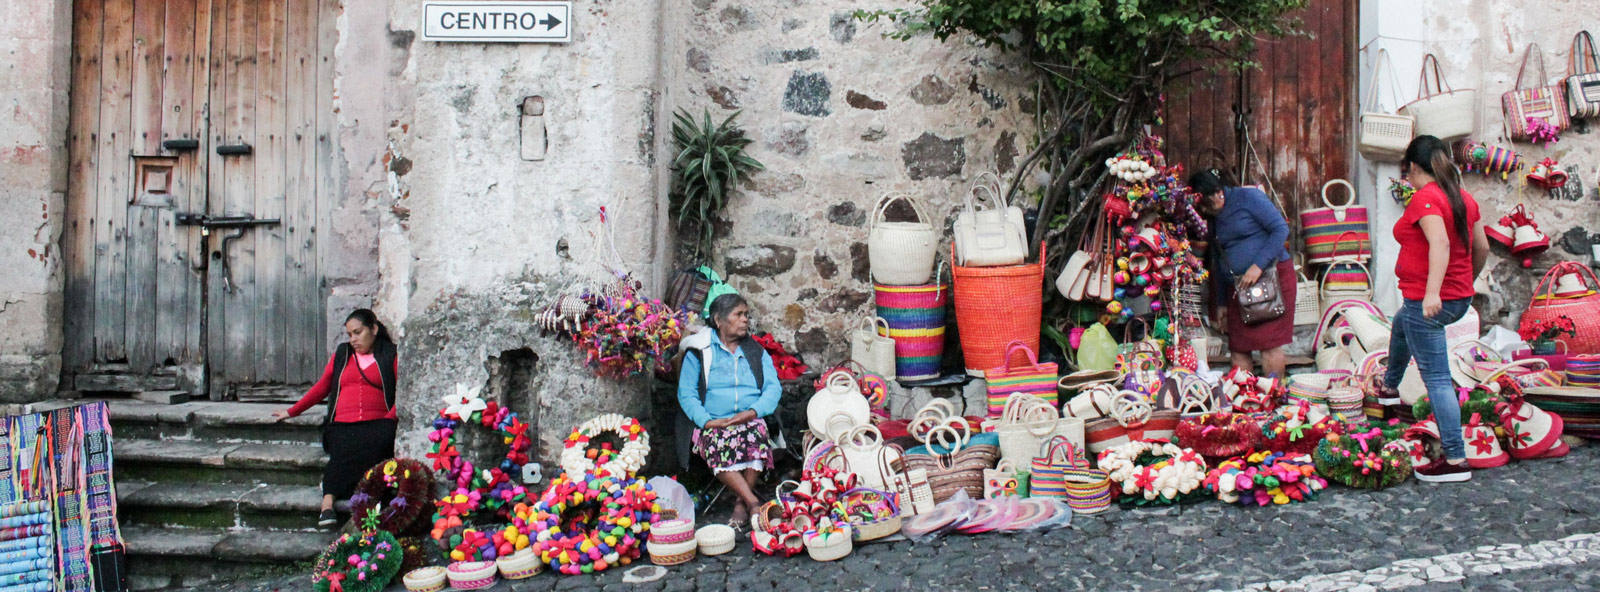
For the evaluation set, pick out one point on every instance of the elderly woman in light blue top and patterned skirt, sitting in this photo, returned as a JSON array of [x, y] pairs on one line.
[[726, 388]]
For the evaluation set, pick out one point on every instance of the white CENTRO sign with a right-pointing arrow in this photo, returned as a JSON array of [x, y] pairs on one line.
[[498, 22]]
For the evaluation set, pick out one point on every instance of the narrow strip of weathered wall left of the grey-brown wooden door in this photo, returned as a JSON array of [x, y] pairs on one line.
[[34, 78]]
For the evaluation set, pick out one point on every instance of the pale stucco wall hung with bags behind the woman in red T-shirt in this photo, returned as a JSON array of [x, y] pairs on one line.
[[1484, 49]]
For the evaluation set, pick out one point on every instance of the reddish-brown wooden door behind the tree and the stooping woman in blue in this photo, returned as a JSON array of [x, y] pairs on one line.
[[1298, 110]]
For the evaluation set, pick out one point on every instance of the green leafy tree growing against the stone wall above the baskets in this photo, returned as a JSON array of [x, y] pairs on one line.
[[1102, 70]]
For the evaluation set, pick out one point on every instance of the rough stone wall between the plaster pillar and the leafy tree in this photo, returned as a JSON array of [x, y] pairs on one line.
[[839, 116]]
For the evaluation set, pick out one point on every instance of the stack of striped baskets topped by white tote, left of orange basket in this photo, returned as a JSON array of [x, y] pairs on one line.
[[908, 290]]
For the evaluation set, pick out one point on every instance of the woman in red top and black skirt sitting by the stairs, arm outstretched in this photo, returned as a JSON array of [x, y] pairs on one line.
[[361, 426]]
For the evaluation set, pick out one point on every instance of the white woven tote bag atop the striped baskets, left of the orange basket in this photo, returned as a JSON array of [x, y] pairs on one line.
[[902, 254]]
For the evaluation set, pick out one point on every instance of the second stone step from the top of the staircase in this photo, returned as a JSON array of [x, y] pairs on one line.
[[198, 462]]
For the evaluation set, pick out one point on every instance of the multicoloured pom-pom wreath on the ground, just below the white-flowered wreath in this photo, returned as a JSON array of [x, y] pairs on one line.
[[593, 522]]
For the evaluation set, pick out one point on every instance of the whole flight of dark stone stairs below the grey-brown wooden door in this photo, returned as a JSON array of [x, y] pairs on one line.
[[215, 490]]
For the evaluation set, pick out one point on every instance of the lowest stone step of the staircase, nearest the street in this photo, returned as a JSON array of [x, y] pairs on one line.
[[170, 558]]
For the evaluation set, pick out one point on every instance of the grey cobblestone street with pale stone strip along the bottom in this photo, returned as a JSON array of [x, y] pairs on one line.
[[1522, 527]]
